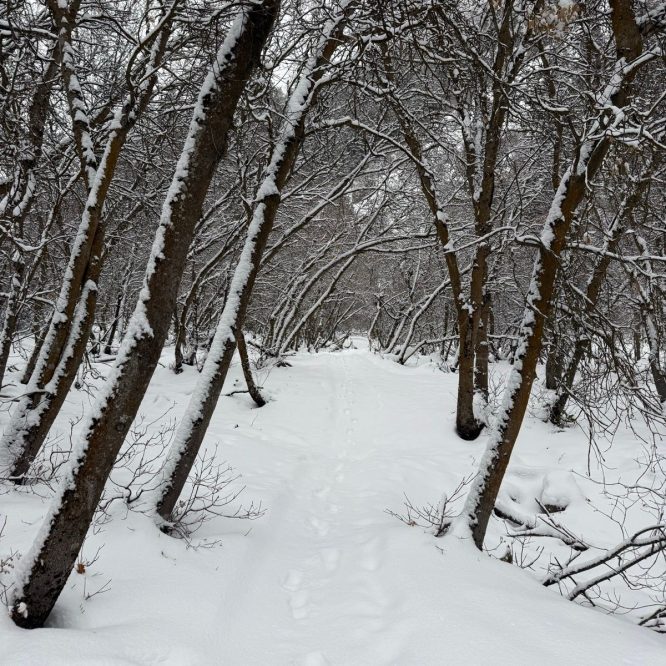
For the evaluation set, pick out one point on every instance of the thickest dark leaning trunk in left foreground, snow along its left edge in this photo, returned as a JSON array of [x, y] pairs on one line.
[[43, 571]]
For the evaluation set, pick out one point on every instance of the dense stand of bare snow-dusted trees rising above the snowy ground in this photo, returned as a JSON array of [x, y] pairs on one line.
[[473, 181]]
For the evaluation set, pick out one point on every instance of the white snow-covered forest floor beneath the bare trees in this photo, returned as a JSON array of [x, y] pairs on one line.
[[327, 576]]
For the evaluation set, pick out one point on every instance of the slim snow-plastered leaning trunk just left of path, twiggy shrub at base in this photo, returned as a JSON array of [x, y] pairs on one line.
[[192, 429]]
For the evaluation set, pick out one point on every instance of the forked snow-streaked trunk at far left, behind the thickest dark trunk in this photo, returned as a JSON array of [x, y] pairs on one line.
[[65, 342]]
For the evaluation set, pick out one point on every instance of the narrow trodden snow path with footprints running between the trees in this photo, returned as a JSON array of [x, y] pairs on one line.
[[323, 569]]
